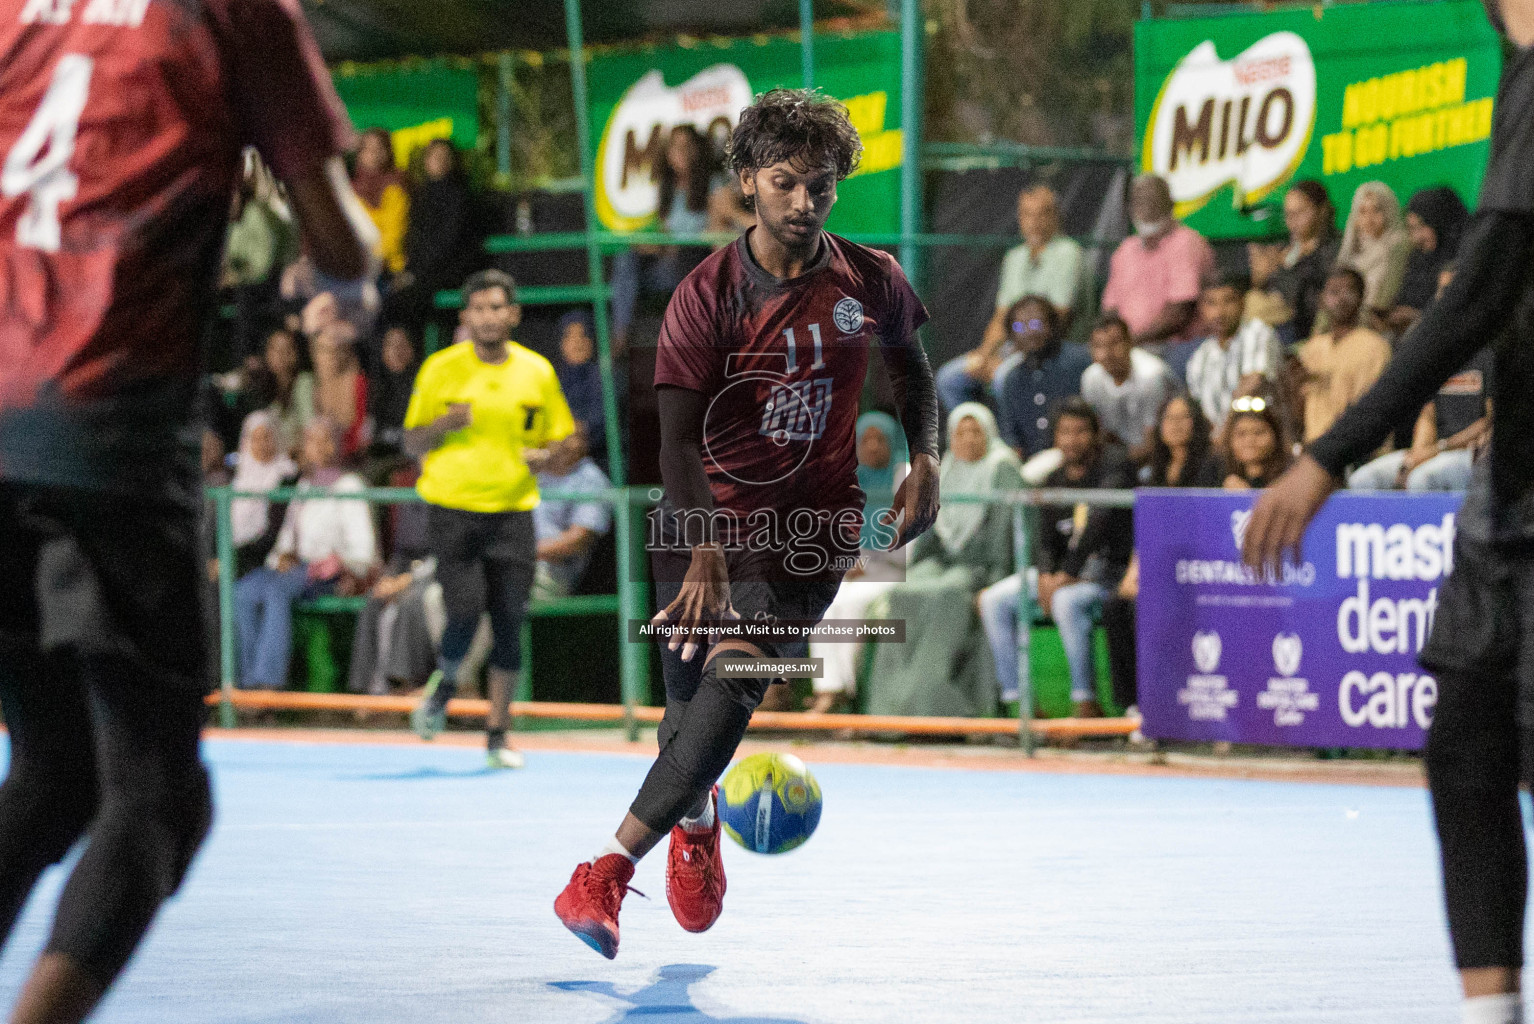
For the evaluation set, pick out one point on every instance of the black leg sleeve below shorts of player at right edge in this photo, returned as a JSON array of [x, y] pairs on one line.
[[1472, 761]]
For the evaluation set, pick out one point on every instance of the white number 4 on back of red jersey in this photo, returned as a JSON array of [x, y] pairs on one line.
[[38, 166]]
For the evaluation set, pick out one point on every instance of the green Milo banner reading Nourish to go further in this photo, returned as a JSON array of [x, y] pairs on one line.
[[1231, 110]]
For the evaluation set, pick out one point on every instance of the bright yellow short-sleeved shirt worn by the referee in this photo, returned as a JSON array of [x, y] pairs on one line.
[[515, 405]]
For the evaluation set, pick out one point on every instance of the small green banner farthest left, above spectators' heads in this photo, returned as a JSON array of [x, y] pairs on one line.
[[416, 103]]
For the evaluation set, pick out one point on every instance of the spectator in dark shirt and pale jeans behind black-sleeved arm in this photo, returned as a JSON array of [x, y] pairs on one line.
[[1449, 433]]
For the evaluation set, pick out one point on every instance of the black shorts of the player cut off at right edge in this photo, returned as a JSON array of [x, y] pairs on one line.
[[1486, 612]]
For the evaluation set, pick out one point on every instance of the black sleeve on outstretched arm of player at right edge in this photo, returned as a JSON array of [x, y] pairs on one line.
[[1489, 280]]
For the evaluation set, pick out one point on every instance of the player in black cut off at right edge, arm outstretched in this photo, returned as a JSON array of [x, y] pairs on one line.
[[1481, 744]]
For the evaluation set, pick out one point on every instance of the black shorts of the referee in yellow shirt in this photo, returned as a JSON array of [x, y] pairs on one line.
[[478, 553]]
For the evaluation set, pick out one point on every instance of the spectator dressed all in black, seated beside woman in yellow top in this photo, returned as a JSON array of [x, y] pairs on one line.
[[439, 245]]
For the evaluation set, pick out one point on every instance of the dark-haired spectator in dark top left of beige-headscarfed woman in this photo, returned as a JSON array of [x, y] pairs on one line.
[[1288, 281]]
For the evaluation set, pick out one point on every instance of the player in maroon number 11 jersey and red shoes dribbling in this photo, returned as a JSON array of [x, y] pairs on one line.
[[762, 364]]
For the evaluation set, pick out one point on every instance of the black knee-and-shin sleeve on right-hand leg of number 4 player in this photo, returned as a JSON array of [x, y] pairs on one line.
[[142, 845]]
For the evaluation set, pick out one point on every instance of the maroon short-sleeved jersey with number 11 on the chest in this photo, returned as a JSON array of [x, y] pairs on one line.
[[783, 364]]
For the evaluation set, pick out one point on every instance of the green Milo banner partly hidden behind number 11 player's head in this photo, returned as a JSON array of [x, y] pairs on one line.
[[639, 96]]
